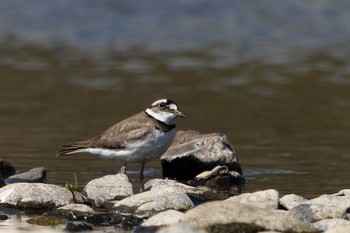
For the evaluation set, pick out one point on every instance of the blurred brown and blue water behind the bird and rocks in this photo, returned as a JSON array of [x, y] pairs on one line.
[[274, 78]]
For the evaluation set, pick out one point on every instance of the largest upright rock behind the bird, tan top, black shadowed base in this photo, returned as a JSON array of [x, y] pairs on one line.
[[192, 153]]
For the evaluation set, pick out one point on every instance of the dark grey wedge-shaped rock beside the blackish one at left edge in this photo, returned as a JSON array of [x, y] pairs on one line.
[[35, 175]]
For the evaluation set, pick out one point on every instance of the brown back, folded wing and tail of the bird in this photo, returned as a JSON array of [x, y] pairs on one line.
[[116, 137]]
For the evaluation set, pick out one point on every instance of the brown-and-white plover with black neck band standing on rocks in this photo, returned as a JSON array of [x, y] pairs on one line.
[[137, 139]]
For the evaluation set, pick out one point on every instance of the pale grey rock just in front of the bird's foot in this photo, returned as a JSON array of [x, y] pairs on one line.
[[146, 204]]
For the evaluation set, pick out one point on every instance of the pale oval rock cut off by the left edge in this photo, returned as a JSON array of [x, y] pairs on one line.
[[34, 196]]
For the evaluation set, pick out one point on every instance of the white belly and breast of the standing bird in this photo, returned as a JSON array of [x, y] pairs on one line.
[[140, 151]]
